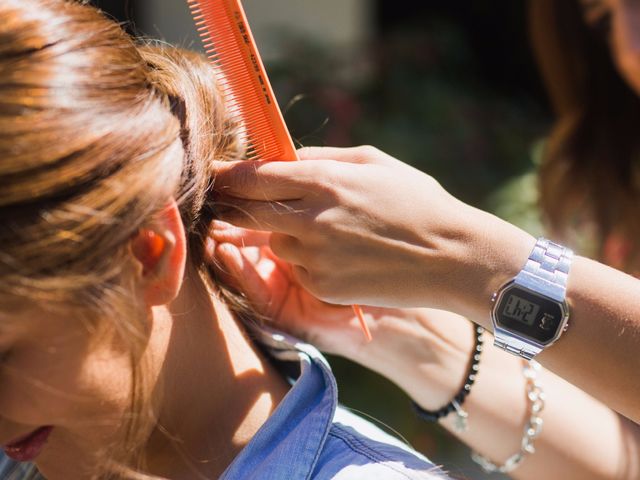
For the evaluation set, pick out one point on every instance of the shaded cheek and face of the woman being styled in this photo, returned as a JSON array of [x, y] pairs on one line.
[[53, 375]]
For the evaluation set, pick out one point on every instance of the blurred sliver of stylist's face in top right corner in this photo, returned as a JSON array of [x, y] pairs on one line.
[[619, 21]]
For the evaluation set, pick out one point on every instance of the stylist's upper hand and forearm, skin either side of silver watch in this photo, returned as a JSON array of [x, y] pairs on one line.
[[362, 227]]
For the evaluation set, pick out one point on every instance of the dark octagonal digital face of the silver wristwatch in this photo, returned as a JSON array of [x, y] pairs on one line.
[[529, 314]]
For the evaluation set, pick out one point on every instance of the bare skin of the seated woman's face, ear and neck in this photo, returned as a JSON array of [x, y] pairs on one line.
[[211, 389]]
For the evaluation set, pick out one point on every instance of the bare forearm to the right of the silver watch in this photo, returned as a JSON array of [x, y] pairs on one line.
[[600, 352]]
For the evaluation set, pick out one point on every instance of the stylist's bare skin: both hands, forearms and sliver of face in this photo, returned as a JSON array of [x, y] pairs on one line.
[[350, 234]]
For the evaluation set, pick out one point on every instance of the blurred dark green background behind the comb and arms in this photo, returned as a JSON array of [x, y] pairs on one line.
[[449, 86]]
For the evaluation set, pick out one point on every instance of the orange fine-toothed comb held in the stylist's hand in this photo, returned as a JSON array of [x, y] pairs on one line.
[[229, 44]]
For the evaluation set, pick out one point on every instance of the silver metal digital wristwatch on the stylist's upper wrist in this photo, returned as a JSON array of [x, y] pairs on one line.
[[530, 312]]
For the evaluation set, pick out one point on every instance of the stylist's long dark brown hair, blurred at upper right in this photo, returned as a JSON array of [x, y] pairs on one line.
[[590, 174]]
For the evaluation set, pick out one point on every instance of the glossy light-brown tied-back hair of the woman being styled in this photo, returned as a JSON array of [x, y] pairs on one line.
[[96, 134]]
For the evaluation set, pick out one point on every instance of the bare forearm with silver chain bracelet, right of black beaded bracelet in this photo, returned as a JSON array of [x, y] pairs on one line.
[[581, 438]]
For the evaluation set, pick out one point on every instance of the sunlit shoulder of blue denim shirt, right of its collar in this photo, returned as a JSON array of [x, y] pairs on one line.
[[356, 449]]
